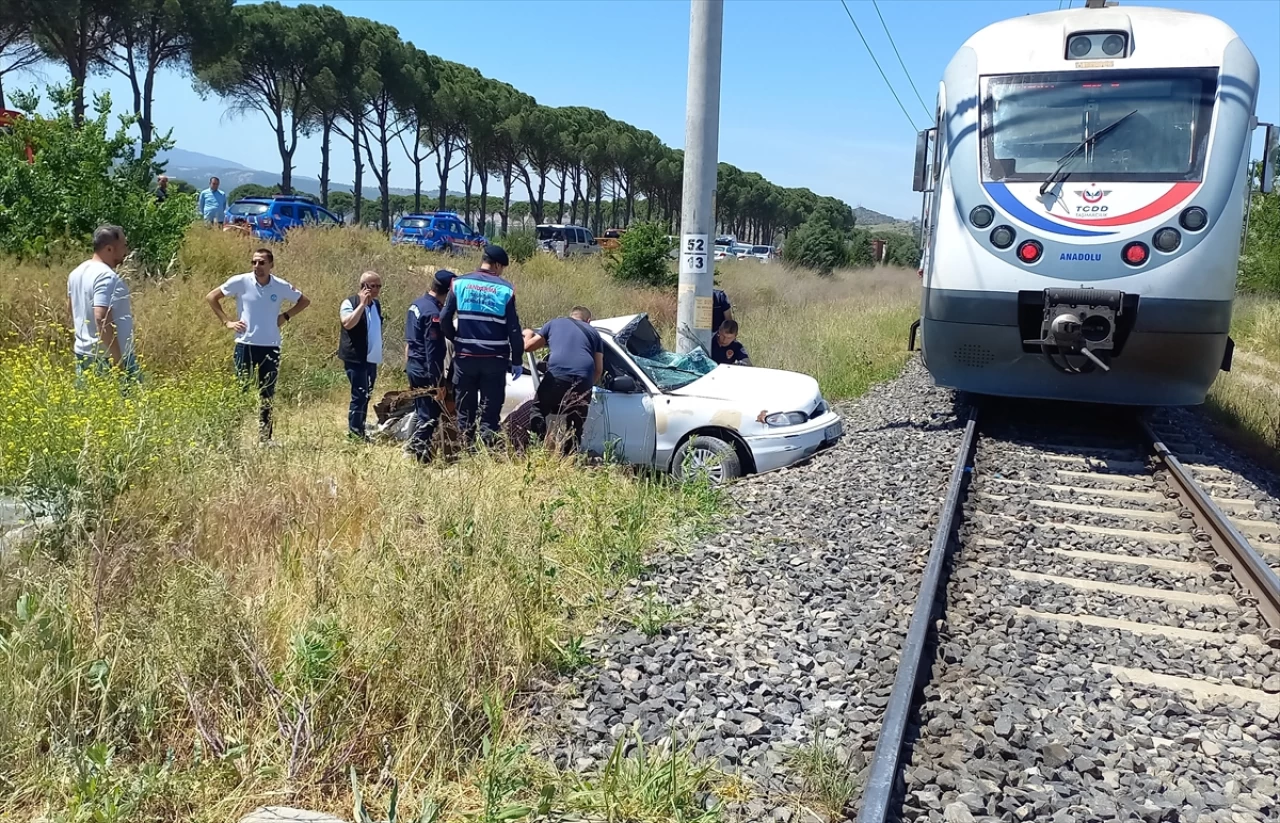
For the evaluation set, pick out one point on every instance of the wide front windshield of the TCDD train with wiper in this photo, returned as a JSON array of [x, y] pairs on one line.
[[1032, 121]]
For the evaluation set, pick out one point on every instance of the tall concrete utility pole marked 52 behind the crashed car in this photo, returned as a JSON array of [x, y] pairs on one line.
[[702, 144]]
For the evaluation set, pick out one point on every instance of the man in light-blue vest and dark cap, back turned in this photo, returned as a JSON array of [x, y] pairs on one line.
[[488, 341]]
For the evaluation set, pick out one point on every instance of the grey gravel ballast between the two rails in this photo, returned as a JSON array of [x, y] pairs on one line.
[[1027, 719]]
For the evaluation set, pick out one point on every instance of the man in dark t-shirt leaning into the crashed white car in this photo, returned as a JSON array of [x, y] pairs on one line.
[[574, 367]]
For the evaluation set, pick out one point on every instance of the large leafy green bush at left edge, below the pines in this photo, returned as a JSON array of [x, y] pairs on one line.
[[80, 180]]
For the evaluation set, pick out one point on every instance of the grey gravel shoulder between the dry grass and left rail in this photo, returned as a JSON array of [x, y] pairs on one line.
[[783, 630]]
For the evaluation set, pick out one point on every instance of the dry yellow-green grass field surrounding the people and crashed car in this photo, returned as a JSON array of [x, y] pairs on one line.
[[223, 627]]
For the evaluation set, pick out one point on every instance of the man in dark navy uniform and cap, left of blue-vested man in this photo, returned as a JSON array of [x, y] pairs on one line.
[[424, 360]]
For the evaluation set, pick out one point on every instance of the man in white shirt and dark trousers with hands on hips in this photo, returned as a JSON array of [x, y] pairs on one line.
[[260, 298]]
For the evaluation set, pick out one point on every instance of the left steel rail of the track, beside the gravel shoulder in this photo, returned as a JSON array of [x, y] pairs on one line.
[[886, 762]]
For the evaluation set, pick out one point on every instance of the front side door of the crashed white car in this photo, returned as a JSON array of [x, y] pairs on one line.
[[621, 426]]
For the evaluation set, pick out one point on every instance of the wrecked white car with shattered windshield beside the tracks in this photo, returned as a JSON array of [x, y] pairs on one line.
[[687, 415]]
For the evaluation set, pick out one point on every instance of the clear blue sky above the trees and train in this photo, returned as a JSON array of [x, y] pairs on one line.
[[802, 102]]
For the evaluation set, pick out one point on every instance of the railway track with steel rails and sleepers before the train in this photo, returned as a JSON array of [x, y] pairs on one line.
[[1110, 642]]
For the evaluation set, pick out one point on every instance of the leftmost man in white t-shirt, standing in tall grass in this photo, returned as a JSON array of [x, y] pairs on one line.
[[102, 308]]
